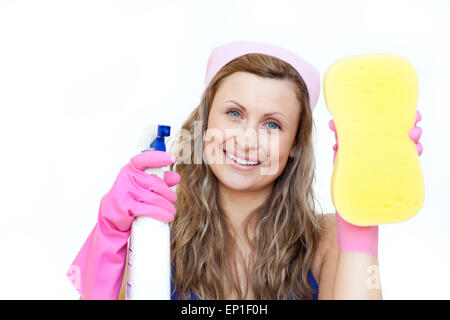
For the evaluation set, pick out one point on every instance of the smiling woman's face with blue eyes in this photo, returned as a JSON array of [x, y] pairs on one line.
[[255, 119]]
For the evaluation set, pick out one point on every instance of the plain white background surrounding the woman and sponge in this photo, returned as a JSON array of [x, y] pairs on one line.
[[79, 80]]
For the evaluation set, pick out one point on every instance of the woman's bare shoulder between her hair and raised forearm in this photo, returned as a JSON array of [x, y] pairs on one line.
[[327, 242]]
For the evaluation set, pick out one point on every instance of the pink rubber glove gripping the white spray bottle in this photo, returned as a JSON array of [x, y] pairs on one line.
[[97, 270]]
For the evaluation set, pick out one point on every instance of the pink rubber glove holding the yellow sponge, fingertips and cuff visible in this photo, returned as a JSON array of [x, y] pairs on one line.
[[365, 239]]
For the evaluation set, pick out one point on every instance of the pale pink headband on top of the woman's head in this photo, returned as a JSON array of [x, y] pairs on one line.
[[221, 55]]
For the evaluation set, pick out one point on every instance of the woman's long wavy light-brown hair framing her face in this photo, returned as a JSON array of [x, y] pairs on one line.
[[286, 227]]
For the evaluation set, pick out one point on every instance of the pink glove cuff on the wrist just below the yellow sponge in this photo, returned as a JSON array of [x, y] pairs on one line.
[[356, 238]]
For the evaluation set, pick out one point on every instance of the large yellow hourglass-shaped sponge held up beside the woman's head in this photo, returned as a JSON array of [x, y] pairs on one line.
[[377, 177]]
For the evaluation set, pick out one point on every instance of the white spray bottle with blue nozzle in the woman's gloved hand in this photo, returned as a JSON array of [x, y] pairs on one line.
[[148, 275]]
